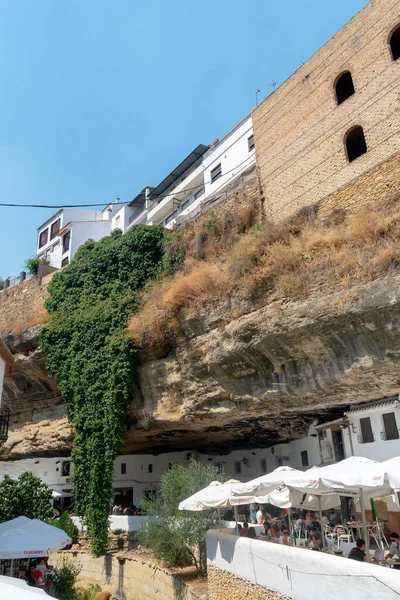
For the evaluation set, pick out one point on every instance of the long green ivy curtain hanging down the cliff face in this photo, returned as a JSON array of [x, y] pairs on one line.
[[93, 359]]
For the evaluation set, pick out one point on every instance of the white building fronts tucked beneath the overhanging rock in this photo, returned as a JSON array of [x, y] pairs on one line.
[[370, 430]]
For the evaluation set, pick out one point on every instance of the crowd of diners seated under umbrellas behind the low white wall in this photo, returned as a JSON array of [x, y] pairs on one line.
[[277, 529]]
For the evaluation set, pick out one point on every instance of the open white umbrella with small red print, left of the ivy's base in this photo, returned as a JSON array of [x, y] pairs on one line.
[[23, 538]]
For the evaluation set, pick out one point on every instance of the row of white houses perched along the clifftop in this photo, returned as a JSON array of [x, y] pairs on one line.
[[203, 173]]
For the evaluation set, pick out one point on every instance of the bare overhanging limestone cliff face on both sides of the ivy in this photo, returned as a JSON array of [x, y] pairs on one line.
[[224, 383]]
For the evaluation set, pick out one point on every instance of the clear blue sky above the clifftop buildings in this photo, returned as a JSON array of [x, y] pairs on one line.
[[100, 98]]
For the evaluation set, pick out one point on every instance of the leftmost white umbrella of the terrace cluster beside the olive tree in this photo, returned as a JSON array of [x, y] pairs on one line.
[[215, 495]]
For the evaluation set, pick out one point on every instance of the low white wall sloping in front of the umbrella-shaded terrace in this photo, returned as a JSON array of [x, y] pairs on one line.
[[298, 573]]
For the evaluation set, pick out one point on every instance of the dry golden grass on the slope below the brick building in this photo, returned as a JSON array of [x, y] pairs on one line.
[[291, 260]]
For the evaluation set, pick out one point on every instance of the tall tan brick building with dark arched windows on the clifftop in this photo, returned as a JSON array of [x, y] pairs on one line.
[[336, 118]]
